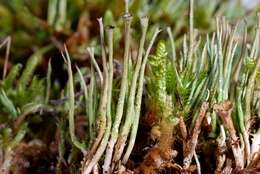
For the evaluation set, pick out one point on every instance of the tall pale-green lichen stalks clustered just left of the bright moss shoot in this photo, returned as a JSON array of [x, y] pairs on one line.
[[113, 137]]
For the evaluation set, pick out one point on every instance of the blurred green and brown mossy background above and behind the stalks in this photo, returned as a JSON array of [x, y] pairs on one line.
[[34, 24]]
